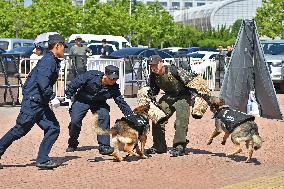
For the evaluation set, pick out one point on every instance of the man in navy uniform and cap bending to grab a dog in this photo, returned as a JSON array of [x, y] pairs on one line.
[[90, 92]]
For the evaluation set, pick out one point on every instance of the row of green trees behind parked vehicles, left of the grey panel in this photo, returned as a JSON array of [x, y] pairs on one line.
[[149, 25]]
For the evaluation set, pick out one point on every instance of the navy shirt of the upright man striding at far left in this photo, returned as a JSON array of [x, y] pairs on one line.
[[39, 85]]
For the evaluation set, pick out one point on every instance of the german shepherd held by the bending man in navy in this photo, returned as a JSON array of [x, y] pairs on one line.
[[124, 137]]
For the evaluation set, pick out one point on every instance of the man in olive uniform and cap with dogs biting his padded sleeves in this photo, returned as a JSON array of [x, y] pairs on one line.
[[176, 98]]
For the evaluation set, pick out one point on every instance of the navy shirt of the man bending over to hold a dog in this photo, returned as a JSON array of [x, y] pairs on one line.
[[88, 88]]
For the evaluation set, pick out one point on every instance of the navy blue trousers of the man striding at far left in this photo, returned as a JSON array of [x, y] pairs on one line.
[[26, 119]]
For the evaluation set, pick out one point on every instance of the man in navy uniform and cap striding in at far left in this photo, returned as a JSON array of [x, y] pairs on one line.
[[37, 93]]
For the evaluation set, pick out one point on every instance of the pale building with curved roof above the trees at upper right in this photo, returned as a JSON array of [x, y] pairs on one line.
[[223, 13]]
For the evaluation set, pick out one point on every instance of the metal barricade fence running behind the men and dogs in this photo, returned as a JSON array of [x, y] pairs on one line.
[[133, 73]]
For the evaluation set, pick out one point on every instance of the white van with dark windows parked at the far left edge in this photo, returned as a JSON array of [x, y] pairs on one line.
[[10, 43]]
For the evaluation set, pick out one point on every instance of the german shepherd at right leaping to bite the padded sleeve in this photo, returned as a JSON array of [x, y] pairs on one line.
[[246, 131]]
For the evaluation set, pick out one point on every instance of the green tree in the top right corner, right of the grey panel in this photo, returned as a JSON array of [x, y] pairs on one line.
[[270, 17]]
